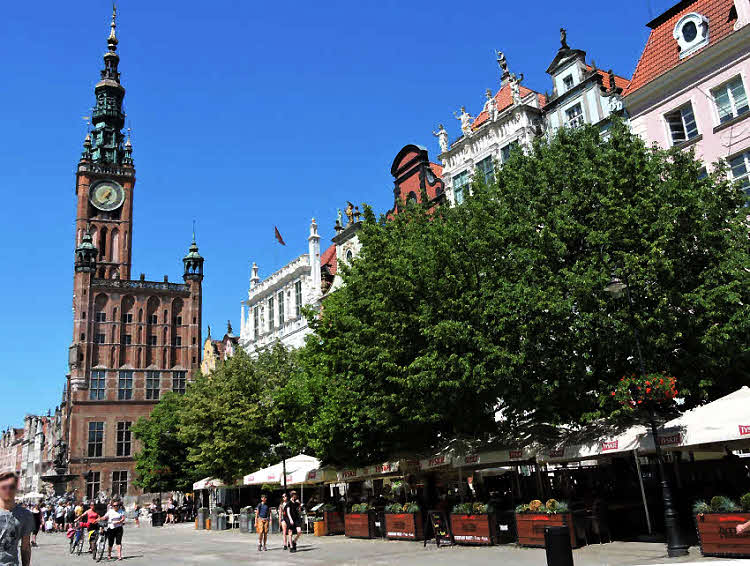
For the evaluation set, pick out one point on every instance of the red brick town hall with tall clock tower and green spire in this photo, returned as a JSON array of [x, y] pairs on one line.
[[133, 339]]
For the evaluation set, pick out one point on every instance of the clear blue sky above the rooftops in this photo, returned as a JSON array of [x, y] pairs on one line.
[[245, 115]]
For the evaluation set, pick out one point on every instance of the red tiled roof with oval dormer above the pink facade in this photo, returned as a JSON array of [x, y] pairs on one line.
[[662, 54]]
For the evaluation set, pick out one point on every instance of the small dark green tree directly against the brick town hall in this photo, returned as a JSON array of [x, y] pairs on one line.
[[161, 462]]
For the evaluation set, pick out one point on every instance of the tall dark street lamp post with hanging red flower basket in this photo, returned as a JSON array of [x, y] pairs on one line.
[[675, 541]]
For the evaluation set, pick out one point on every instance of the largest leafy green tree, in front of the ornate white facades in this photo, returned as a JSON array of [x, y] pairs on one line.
[[449, 316]]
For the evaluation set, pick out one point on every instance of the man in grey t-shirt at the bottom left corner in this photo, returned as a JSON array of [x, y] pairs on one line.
[[16, 524]]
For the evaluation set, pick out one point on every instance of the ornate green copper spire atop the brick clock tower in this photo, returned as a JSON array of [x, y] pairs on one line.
[[108, 118]]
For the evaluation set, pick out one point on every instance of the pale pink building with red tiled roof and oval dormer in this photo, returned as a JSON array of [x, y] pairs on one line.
[[690, 87]]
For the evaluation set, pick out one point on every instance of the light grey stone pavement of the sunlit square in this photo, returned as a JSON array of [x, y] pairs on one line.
[[182, 545]]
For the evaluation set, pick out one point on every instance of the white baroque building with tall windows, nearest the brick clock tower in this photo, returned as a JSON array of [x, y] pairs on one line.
[[273, 309]]
